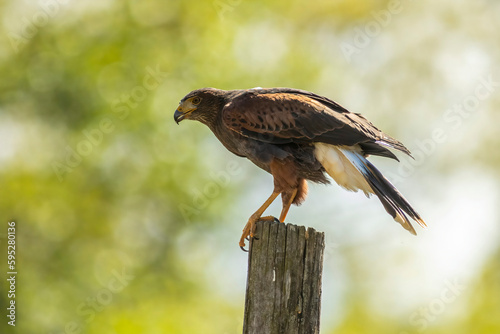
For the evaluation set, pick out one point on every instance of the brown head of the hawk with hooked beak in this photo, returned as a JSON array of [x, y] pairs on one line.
[[200, 105]]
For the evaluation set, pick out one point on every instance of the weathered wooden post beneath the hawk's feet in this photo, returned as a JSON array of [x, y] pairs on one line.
[[283, 294]]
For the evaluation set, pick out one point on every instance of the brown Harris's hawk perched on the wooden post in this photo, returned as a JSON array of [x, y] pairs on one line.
[[297, 136]]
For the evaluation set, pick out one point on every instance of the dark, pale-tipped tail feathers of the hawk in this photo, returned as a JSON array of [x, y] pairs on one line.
[[392, 200]]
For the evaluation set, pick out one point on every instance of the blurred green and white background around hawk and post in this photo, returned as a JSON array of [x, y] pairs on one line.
[[128, 223]]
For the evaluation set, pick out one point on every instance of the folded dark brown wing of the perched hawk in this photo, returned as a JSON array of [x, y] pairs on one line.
[[281, 116]]
